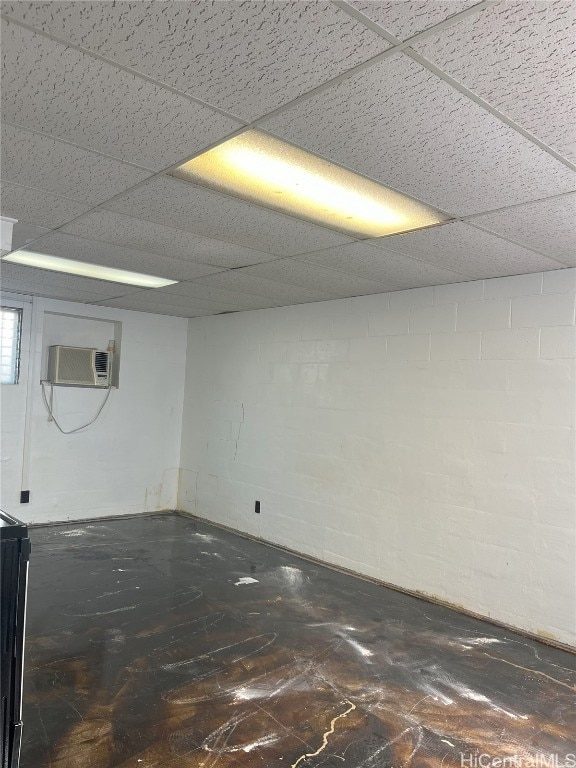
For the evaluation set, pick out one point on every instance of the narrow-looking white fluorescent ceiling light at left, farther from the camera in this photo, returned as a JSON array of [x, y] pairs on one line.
[[57, 264]]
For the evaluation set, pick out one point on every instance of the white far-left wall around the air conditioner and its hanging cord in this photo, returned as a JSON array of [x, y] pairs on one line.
[[128, 460]]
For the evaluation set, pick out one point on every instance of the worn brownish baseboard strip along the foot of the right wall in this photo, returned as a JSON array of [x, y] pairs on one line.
[[413, 593]]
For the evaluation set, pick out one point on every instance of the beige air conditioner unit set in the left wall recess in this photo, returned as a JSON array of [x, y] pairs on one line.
[[79, 366]]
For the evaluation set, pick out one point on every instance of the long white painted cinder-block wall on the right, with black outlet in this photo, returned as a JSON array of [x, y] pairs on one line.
[[423, 437]]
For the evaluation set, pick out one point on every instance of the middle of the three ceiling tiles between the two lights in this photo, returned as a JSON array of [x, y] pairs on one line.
[[177, 243]]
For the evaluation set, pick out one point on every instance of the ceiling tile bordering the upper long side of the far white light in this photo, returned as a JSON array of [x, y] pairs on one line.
[[106, 254]]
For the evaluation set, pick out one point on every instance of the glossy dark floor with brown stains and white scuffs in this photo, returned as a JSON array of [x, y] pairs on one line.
[[160, 642]]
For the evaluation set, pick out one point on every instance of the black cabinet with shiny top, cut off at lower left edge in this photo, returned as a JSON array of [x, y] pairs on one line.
[[15, 553]]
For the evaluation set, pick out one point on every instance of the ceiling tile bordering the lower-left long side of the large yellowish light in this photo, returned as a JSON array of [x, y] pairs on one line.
[[210, 214]]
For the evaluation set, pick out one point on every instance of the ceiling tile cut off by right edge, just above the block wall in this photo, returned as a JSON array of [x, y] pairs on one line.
[[548, 226]]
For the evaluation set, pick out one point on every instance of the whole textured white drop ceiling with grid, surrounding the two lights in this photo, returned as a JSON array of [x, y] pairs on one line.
[[468, 107]]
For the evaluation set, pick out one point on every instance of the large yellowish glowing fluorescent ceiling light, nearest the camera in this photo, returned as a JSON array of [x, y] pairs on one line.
[[264, 170]]
